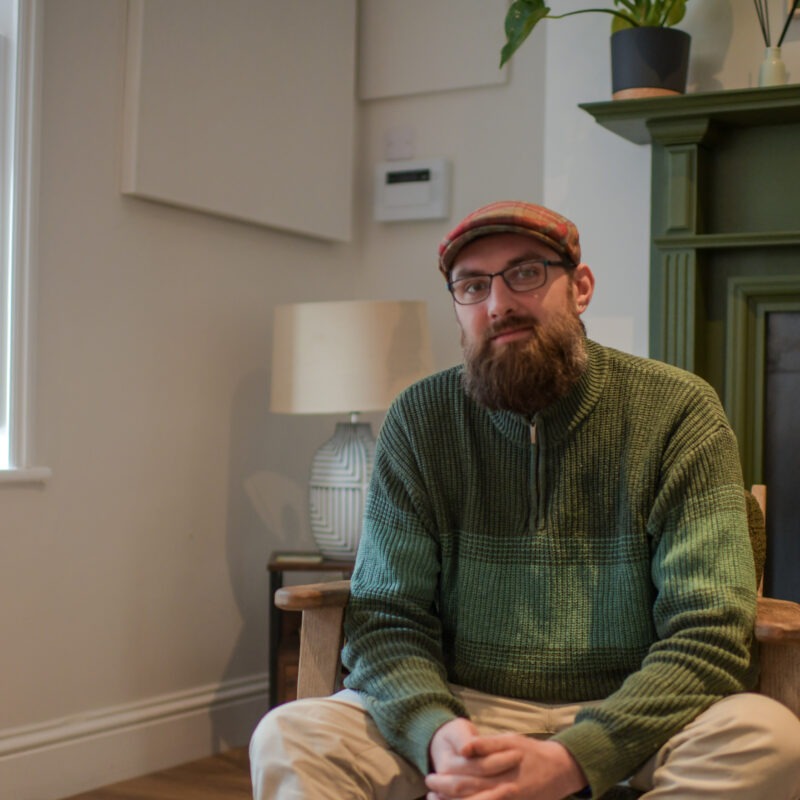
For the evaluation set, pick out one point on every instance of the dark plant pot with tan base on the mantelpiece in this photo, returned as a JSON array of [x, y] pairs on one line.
[[649, 61]]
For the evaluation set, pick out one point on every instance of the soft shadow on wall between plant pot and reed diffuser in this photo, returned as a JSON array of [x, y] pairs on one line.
[[710, 23]]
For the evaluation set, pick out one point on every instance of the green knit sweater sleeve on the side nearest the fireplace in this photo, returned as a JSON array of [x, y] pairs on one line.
[[704, 612]]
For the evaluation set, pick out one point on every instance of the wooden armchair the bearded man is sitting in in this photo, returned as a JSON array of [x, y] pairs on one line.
[[777, 629]]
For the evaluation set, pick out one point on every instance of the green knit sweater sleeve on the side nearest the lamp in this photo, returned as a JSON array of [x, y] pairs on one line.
[[393, 634]]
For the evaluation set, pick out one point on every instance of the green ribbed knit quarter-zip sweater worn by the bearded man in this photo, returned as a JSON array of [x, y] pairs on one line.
[[600, 552]]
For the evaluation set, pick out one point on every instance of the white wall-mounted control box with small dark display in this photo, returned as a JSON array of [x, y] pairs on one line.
[[408, 190]]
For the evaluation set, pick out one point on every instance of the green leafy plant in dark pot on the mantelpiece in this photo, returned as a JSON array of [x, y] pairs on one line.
[[648, 56]]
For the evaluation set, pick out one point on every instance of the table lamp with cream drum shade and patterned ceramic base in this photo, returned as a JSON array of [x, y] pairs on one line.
[[345, 357]]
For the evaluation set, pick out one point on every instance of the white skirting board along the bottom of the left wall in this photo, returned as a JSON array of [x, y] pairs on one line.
[[66, 756]]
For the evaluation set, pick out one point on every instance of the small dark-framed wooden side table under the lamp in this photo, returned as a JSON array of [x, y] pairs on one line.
[[284, 626]]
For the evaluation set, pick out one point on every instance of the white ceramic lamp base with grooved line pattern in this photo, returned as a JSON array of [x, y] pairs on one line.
[[340, 474]]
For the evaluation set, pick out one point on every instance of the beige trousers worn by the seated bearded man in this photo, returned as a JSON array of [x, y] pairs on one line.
[[745, 747]]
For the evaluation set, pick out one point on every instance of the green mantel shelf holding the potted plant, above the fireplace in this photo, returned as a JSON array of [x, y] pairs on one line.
[[634, 119]]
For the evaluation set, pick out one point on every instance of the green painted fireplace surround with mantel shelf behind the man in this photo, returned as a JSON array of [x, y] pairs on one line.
[[724, 259]]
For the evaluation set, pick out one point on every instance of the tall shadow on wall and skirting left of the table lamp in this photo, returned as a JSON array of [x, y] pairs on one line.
[[267, 511]]
